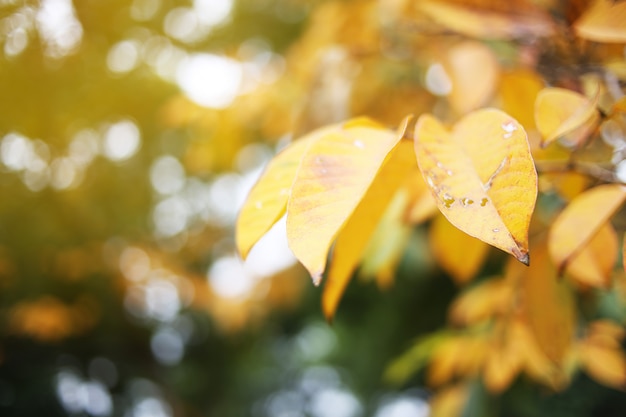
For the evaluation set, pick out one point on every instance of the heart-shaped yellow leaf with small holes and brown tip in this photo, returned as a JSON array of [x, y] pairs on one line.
[[482, 176]]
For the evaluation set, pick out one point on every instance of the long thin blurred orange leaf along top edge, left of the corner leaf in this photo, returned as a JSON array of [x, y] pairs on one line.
[[484, 24]]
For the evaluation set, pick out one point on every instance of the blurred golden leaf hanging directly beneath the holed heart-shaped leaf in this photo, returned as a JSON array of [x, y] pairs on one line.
[[459, 254]]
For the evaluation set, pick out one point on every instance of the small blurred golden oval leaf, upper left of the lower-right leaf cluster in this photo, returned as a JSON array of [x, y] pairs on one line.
[[481, 302]]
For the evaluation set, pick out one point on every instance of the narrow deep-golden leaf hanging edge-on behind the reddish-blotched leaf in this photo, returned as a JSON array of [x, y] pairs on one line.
[[353, 239]]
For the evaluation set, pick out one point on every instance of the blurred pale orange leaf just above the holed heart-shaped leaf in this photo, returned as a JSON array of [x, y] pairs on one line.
[[474, 71]]
